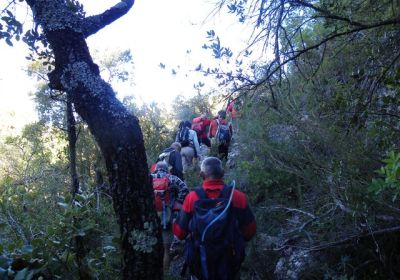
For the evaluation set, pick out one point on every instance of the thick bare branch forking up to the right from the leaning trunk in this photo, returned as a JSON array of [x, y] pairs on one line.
[[93, 24]]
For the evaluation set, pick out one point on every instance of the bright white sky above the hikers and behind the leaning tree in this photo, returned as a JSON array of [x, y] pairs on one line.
[[156, 31]]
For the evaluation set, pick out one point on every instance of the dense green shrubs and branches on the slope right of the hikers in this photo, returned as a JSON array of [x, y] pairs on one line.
[[319, 139]]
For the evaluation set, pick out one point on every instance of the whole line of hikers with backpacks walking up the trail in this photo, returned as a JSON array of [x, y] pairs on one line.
[[214, 219]]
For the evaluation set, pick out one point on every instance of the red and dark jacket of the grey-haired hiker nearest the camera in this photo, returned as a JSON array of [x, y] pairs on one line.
[[213, 188]]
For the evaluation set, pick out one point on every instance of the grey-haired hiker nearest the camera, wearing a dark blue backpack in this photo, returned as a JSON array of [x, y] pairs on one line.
[[216, 221]]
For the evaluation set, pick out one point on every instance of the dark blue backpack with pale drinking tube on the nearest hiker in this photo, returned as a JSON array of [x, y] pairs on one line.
[[215, 247]]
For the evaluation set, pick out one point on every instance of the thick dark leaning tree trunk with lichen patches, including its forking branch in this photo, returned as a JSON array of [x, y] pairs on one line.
[[115, 129]]
